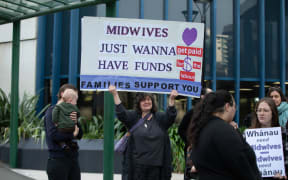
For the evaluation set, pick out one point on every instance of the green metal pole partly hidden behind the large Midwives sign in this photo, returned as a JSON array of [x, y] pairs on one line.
[[108, 161]]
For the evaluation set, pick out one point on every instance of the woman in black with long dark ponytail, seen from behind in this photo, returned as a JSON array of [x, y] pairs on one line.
[[219, 151]]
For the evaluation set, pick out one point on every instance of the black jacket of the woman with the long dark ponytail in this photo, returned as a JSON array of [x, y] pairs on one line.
[[223, 154]]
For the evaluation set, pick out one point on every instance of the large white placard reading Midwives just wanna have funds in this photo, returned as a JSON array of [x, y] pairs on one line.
[[141, 55]]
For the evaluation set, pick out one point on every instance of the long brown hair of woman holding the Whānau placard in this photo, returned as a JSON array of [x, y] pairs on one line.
[[272, 105]]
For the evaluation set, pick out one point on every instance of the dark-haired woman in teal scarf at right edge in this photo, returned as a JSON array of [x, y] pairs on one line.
[[282, 106]]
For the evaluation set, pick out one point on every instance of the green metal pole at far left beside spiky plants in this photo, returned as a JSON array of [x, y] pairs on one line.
[[14, 94]]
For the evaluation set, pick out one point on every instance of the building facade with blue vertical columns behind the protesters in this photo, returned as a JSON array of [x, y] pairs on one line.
[[245, 48]]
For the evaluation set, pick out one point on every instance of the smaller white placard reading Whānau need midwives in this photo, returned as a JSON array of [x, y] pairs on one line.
[[268, 147]]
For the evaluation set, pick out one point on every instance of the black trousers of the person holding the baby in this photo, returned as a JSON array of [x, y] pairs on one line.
[[63, 169]]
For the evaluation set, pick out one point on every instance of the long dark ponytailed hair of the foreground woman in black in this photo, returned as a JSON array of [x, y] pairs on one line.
[[212, 103]]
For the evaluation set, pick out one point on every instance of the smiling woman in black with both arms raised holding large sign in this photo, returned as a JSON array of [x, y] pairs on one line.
[[148, 153]]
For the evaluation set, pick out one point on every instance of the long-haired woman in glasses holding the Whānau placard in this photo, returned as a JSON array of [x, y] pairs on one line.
[[266, 116]]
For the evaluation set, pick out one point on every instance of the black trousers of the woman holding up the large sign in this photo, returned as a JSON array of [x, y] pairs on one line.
[[145, 172]]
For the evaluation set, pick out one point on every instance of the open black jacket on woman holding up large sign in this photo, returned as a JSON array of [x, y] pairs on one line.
[[165, 120]]
